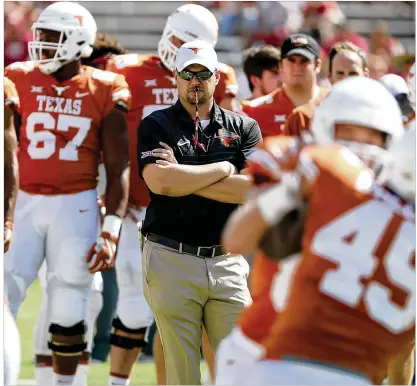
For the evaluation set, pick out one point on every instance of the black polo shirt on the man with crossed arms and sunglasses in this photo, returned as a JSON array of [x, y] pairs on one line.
[[191, 219]]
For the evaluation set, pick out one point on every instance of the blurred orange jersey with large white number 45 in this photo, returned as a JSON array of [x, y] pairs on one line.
[[351, 302]]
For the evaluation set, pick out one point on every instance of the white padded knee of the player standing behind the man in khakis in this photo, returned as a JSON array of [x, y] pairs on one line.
[[134, 311]]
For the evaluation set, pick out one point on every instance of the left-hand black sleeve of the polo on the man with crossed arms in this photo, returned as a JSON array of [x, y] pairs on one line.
[[149, 134]]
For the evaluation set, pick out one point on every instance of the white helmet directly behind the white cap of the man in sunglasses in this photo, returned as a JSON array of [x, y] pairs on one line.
[[188, 22]]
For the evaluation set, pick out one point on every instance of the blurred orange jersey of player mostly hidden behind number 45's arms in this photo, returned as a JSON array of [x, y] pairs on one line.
[[274, 156]]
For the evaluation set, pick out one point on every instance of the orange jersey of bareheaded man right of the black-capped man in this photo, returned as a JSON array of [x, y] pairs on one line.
[[299, 120]]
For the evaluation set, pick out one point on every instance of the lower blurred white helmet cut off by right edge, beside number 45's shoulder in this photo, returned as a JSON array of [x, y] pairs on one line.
[[400, 175]]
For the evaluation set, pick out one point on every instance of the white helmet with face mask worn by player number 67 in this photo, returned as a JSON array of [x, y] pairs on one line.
[[78, 32]]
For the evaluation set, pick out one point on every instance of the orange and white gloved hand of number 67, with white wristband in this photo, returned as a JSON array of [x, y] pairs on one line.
[[102, 254]]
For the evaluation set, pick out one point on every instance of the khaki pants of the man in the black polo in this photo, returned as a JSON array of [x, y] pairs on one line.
[[184, 291]]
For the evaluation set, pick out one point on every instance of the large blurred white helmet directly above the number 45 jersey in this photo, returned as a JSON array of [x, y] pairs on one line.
[[364, 102]]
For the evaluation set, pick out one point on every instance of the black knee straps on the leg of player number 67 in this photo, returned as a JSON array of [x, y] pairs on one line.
[[59, 348]]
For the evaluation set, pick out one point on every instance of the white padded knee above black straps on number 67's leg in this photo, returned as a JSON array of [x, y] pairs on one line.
[[68, 304]]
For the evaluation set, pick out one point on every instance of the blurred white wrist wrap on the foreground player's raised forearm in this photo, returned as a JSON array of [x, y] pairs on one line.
[[276, 202]]
